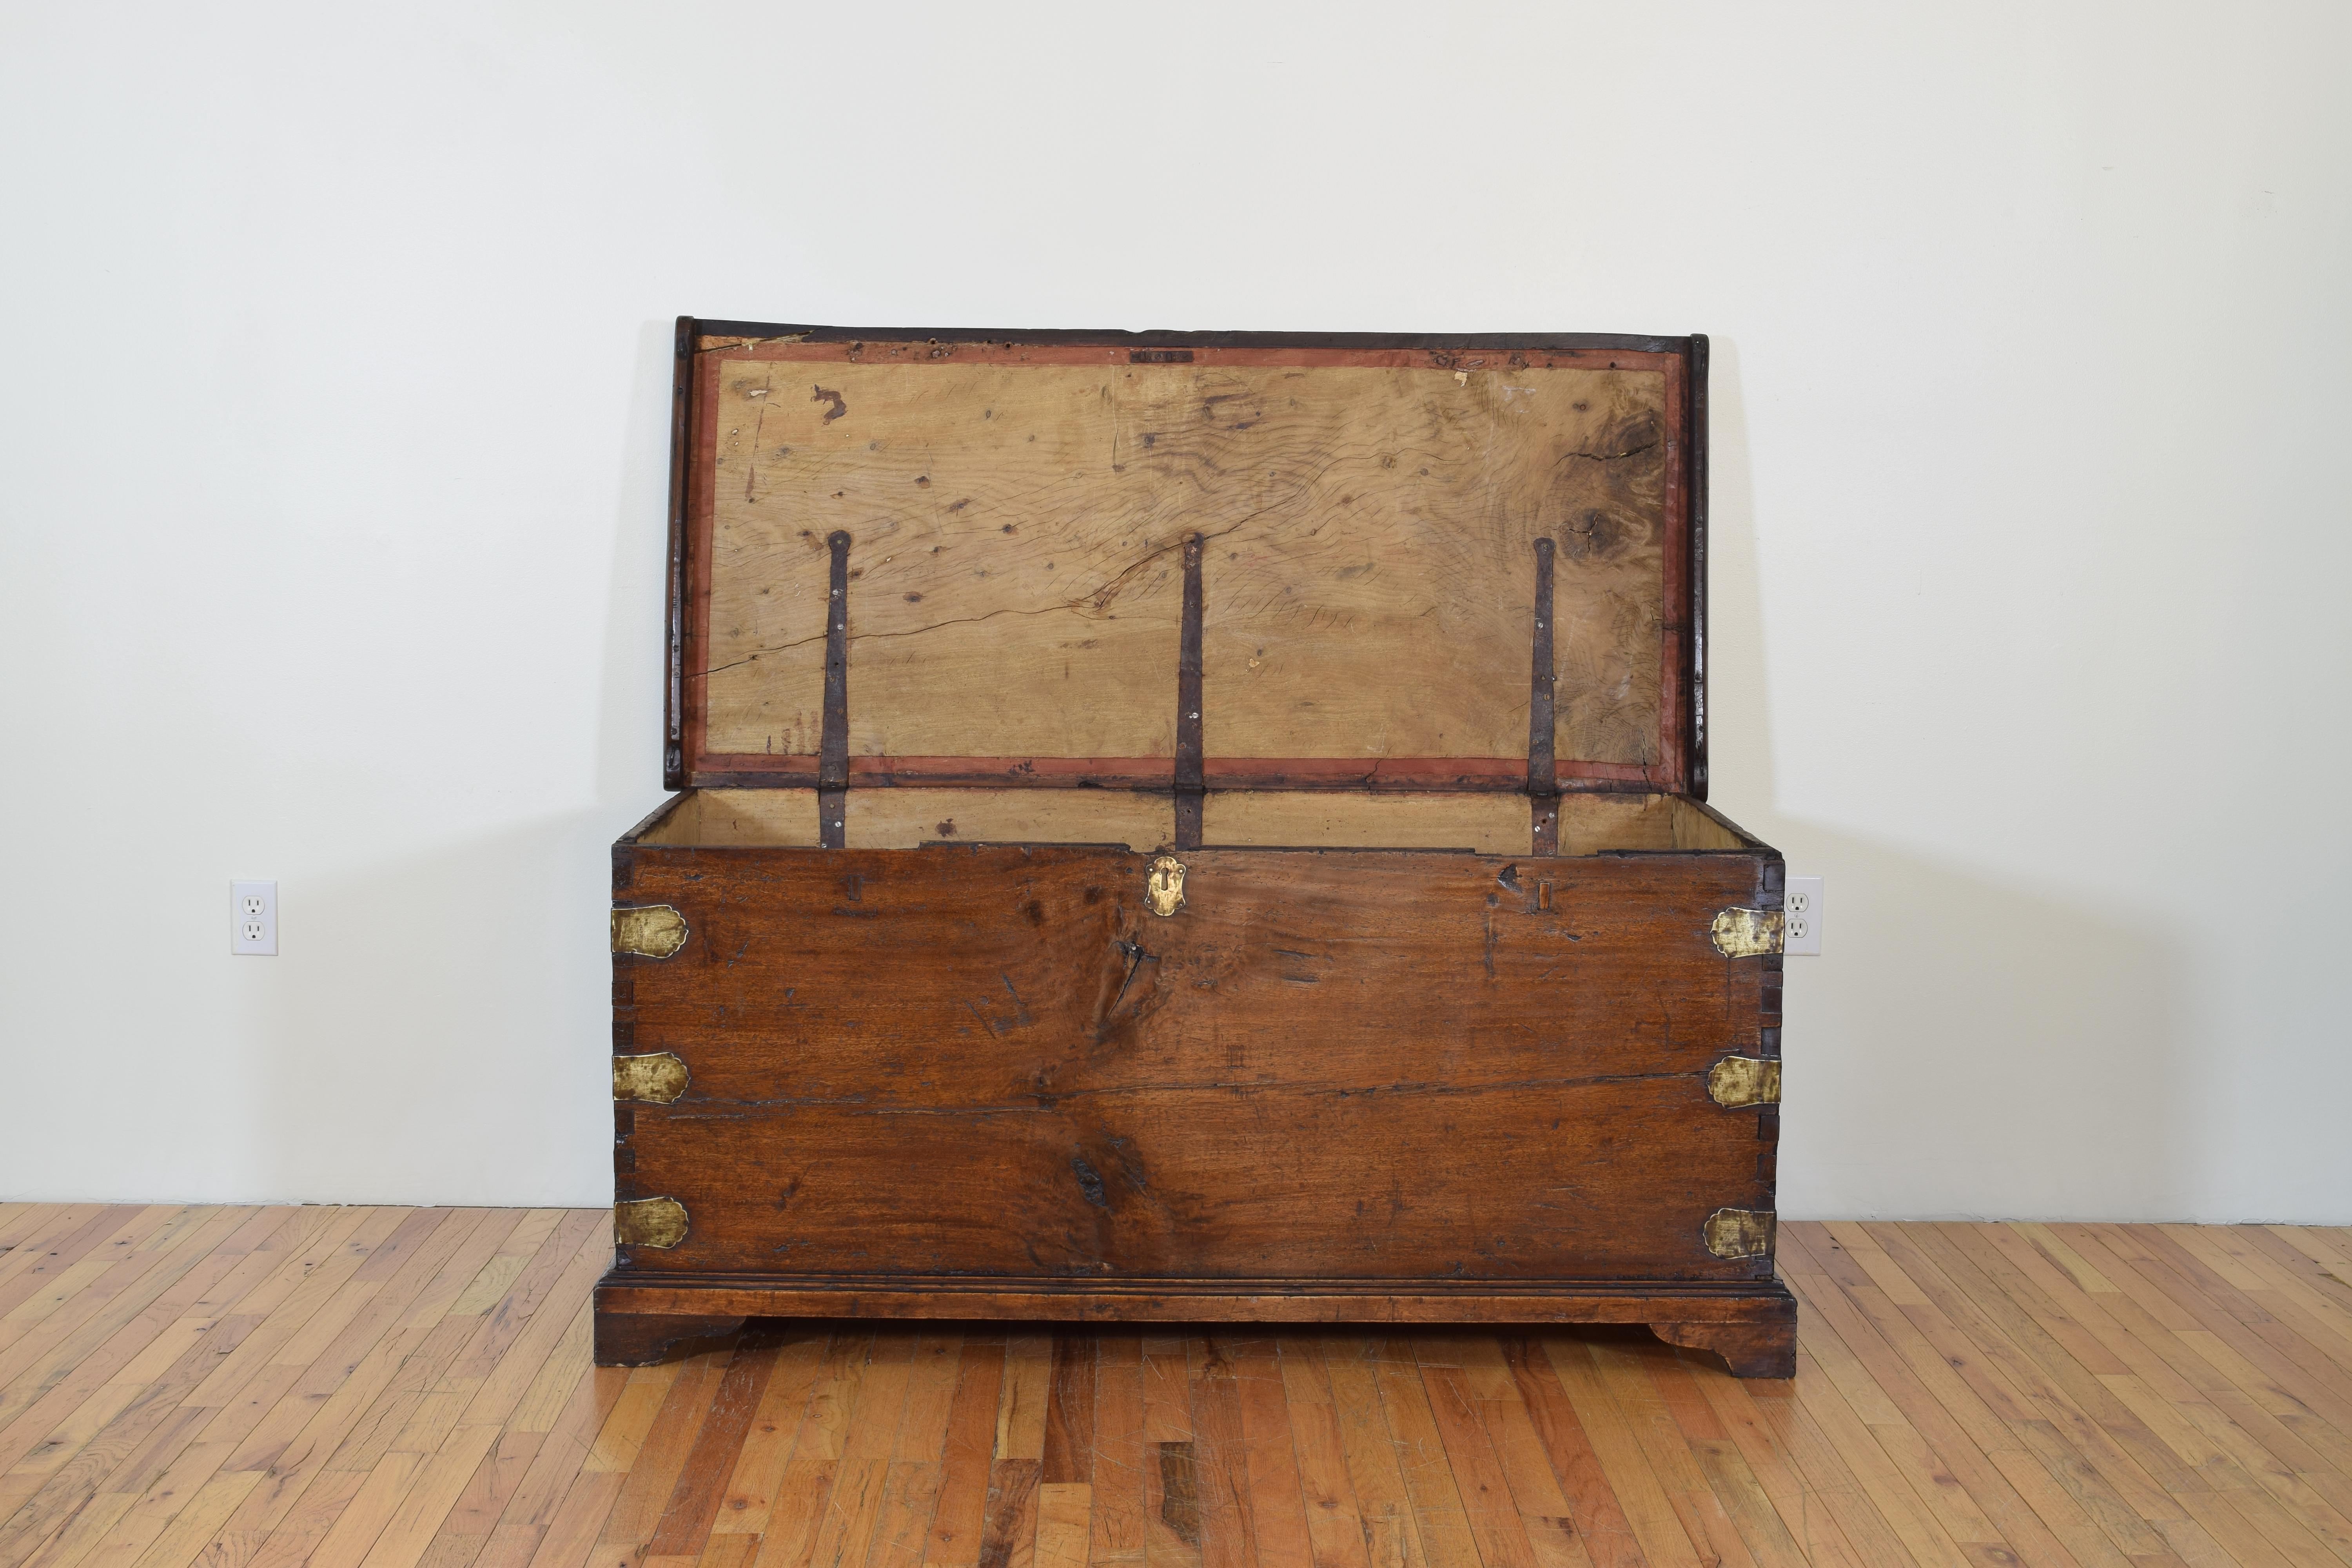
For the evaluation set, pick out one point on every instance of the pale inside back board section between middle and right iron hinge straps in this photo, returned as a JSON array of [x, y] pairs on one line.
[[1349, 819]]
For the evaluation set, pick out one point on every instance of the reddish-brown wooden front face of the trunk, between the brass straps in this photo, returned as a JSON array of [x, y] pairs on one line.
[[1387, 1043]]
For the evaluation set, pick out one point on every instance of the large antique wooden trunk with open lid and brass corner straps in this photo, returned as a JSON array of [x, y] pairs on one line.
[[1191, 829]]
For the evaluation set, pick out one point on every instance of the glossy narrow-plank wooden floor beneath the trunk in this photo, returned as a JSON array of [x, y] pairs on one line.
[[392, 1388]]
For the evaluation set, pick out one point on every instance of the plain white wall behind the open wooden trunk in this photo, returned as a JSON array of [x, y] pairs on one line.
[[333, 389]]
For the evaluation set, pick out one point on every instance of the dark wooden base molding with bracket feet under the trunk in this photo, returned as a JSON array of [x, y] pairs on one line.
[[1751, 1325]]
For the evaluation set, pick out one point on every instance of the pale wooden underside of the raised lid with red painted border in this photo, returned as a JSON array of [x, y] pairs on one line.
[[1017, 554]]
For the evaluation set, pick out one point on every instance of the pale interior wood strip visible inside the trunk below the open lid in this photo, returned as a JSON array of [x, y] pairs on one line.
[[1140, 819]]
